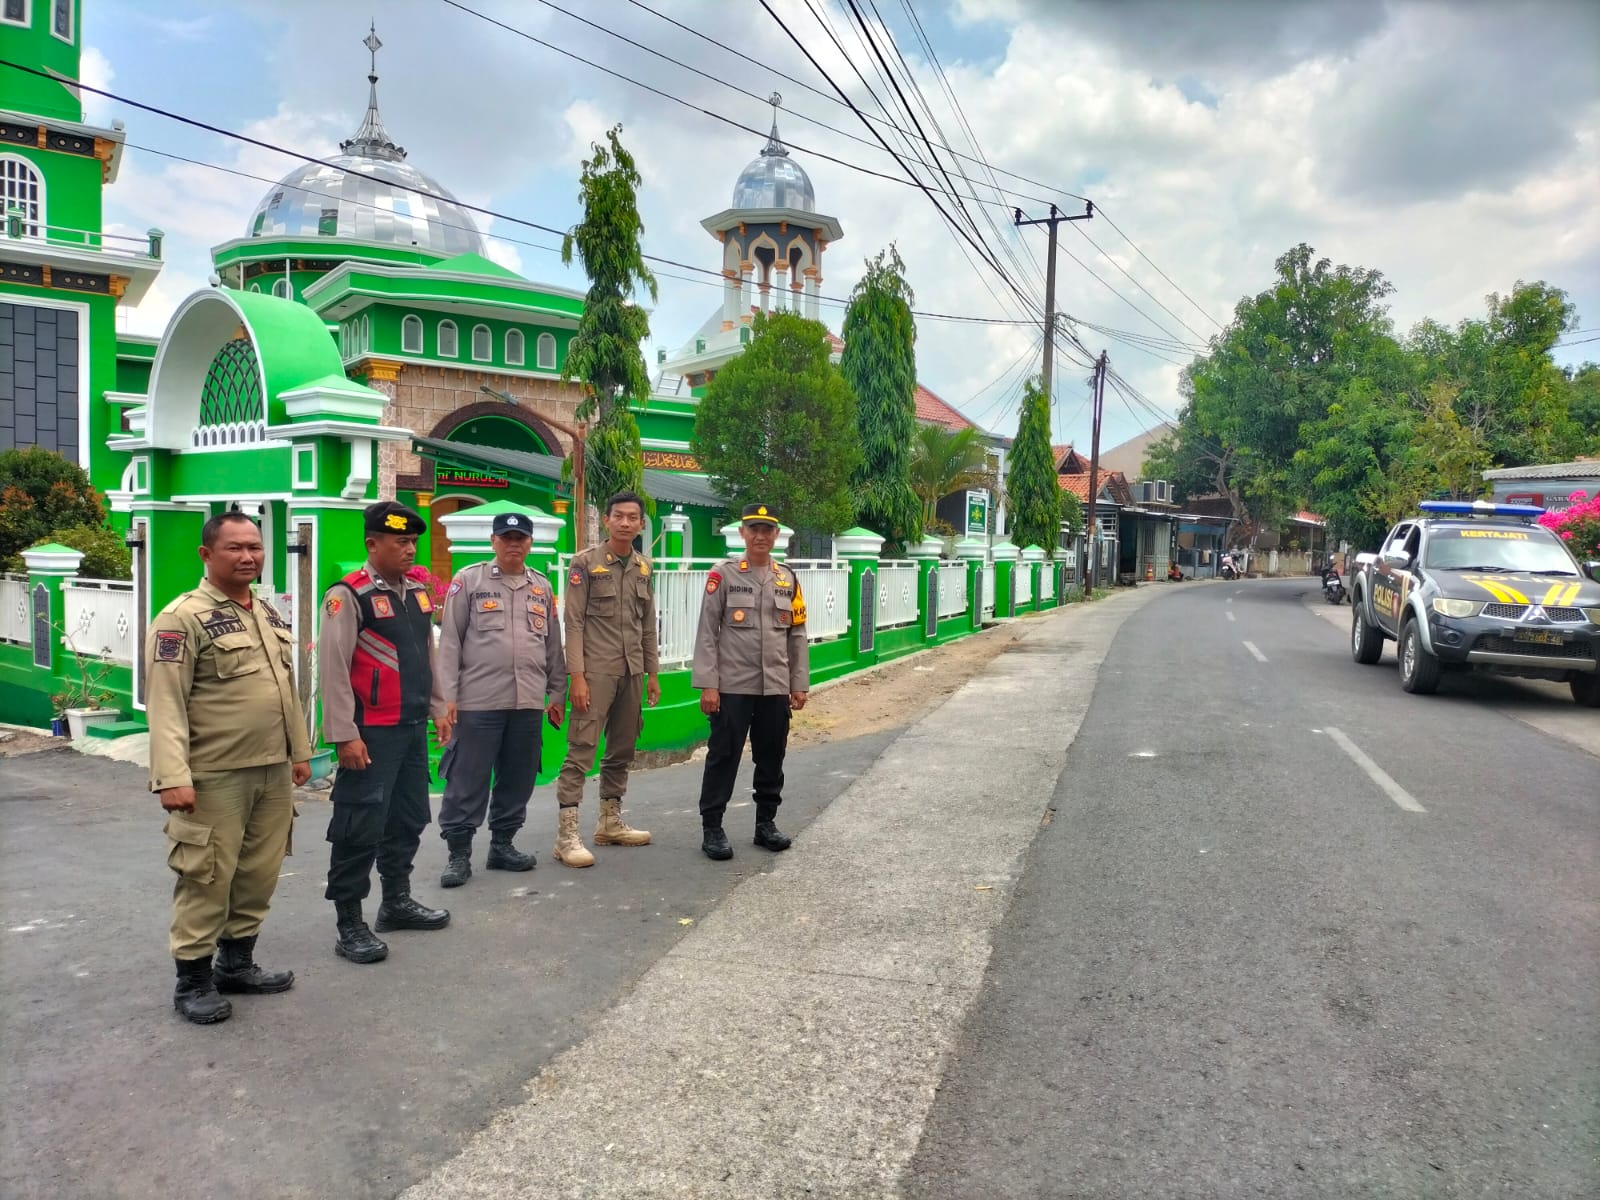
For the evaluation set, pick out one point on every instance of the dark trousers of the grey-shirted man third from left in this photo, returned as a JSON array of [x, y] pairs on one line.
[[492, 743]]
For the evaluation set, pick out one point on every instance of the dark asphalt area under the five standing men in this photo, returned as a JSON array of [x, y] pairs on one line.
[[362, 1079]]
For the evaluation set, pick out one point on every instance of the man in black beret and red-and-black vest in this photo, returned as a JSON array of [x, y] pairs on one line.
[[377, 697]]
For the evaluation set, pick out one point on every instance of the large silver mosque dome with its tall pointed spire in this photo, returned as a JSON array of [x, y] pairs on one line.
[[367, 193]]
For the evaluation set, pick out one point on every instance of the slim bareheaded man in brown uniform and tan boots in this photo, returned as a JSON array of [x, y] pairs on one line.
[[610, 612]]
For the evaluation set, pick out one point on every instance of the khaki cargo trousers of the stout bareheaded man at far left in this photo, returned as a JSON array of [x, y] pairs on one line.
[[228, 855]]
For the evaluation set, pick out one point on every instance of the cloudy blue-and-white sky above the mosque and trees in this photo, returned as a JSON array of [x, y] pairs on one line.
[[1455, 146]]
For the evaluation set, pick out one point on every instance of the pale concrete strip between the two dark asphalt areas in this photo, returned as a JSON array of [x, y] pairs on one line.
[[793, 1042]]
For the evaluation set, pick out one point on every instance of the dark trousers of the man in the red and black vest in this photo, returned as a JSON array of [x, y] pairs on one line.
[[378, 814]]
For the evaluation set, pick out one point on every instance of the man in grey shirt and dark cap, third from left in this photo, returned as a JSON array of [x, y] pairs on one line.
[[500, 674]]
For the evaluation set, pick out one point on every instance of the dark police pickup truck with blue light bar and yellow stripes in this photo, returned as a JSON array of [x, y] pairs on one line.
[[1476, 586]]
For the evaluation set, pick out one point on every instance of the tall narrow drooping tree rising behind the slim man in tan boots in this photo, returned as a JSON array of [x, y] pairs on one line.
[[604, 354]]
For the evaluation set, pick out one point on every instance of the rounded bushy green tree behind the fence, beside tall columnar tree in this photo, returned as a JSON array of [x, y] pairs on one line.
[[778, 426]]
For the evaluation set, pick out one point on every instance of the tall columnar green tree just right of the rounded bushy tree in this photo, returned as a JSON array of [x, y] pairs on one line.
[[881, 367]]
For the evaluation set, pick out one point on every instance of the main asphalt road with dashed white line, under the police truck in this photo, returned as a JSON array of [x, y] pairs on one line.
[[1289, 934]]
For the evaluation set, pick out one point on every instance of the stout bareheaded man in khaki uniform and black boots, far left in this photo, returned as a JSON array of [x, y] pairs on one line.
[[228, 748]]
